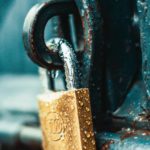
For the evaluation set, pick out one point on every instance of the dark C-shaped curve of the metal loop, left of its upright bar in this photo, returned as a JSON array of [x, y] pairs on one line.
[[33, 31]]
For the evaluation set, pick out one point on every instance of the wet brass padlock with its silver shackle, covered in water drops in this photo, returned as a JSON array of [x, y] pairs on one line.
[[65, 116]]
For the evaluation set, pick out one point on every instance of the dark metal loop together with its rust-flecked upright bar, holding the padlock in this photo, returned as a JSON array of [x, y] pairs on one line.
[[40, 14]]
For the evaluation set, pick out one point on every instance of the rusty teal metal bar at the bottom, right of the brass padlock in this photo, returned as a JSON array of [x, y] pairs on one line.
[[123, 140]]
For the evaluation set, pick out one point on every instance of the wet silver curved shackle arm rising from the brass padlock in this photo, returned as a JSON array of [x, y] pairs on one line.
[[68, 57]]
